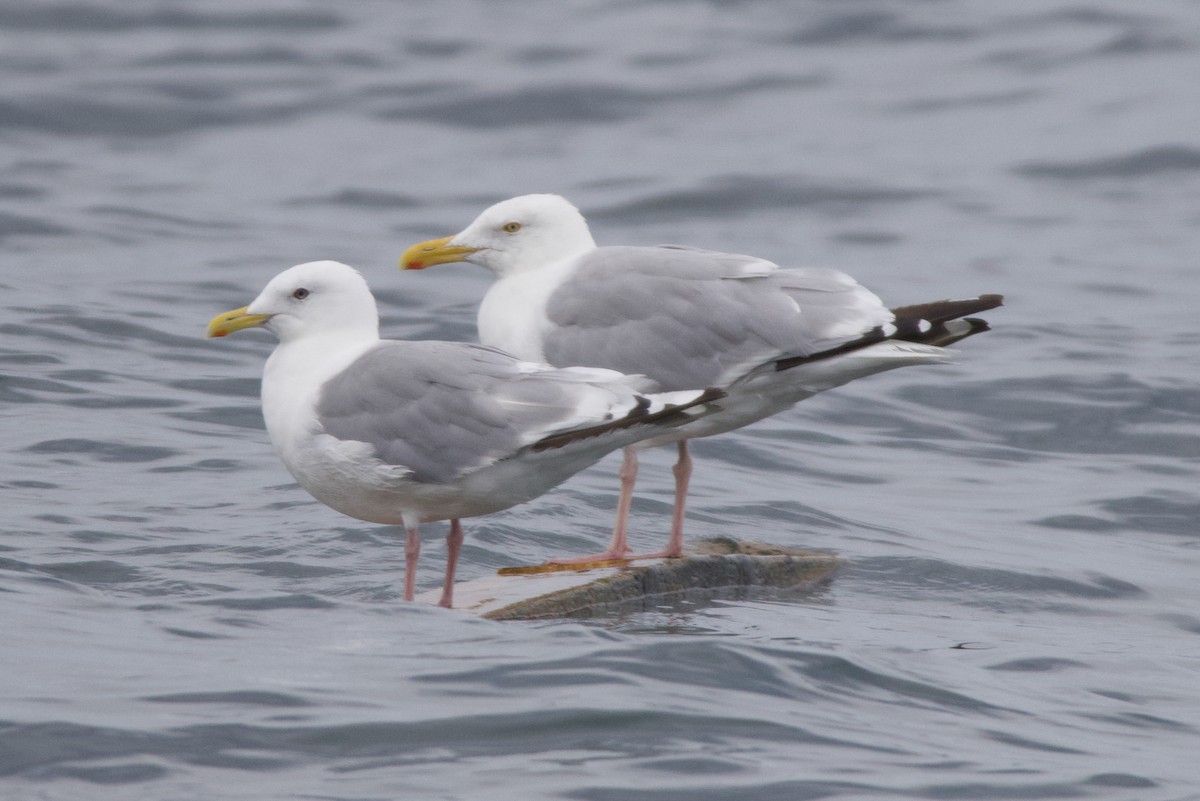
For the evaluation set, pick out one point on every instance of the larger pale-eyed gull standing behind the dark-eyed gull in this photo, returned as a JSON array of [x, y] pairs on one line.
[[685, 317]]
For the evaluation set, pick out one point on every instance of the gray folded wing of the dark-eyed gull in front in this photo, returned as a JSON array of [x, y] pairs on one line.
[[441, 409]]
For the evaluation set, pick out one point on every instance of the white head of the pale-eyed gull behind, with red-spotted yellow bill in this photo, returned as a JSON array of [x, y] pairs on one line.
[[526, 233]]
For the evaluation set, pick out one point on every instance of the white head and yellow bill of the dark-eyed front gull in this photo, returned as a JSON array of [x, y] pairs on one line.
[[319, 298]]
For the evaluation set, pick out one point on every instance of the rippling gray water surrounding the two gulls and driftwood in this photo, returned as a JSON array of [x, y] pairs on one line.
[[1019, 616]]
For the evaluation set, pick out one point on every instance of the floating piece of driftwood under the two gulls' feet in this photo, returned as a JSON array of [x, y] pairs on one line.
[[712, 569]]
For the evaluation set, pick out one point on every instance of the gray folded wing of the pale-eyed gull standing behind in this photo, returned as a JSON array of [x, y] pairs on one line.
[[692, 318]]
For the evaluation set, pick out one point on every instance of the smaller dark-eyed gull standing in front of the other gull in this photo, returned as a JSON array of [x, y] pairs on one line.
[[405, 433]]
